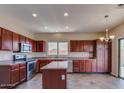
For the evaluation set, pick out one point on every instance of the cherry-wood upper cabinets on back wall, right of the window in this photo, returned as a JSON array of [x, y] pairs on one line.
[[82, 45]]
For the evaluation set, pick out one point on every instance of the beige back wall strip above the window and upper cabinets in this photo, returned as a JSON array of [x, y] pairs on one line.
[[68, 36]]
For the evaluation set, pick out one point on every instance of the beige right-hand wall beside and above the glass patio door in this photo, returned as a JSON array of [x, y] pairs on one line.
[[119, 33]]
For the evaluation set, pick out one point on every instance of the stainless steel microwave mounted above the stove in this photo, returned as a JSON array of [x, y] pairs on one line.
[[25, 47]]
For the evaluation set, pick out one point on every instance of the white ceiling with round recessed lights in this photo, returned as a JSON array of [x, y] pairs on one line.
[[82, 17]]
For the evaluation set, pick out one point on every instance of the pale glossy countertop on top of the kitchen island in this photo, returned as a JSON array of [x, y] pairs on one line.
[[56, 65]]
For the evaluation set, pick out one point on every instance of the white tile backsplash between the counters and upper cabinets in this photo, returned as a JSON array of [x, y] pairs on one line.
[[4, 55]]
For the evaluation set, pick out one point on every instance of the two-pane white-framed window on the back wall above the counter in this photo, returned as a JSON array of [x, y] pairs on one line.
[[58, 48]]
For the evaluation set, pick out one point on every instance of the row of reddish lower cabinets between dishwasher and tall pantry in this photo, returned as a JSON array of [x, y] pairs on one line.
[[84, 65]]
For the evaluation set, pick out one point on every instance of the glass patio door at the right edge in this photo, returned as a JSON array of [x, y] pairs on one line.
[[121, 58]]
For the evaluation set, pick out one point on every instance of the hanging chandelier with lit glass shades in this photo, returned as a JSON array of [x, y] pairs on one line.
[[107, 37]]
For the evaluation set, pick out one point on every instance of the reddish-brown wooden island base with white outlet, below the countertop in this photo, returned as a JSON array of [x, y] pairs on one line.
[[54, 79]]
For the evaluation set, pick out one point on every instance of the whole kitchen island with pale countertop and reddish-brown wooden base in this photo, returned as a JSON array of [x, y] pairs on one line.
[[54, 75]]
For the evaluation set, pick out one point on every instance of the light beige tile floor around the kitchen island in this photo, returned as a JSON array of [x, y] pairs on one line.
[[79, 81]]
